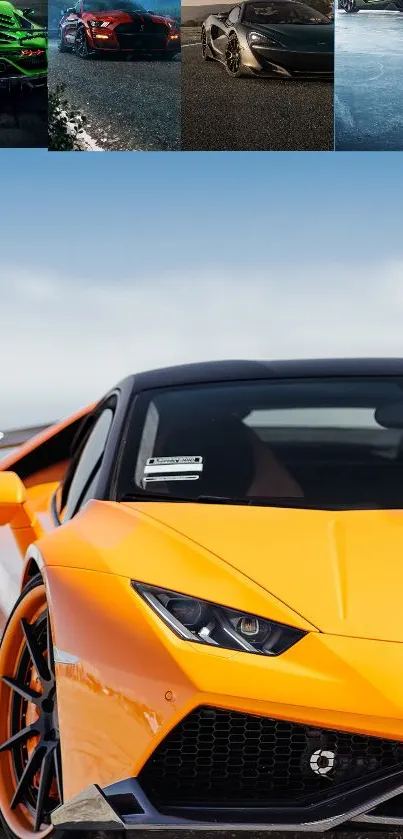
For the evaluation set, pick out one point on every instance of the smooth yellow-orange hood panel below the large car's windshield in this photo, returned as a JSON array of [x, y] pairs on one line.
[[341, 571]]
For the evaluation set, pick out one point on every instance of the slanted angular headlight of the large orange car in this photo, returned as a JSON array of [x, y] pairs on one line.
[[209, 623]]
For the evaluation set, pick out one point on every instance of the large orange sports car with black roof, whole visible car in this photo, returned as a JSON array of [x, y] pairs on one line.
[[201, 603]]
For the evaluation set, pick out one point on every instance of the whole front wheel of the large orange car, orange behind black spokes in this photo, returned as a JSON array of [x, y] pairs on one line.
[[29, 726]]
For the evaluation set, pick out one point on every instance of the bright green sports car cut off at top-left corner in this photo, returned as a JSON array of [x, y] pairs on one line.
[[23, 48]]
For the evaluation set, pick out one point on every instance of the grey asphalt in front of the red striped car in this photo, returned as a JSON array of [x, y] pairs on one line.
[[129, 105]]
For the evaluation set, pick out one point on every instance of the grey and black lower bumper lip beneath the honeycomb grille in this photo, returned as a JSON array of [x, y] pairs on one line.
[[125, 807]]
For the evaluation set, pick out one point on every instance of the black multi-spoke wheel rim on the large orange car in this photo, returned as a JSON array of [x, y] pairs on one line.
[[37, 767]]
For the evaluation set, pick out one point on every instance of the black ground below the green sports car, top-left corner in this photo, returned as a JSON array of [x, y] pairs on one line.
[[23, 120]]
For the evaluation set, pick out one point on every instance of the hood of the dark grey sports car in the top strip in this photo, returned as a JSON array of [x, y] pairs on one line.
[[294, 37]]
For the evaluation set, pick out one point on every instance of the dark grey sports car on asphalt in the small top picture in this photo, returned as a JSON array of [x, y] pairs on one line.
[[274, 38]]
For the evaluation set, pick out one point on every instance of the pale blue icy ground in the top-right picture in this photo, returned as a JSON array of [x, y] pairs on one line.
[[369, 81]]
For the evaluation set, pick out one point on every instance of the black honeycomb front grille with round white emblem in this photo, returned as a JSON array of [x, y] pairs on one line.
[[216, 757]]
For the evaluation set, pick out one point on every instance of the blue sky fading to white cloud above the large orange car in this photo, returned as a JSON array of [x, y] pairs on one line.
[[113, 263]]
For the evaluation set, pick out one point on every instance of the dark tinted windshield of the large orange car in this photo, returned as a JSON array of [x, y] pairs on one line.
[[320, 442]]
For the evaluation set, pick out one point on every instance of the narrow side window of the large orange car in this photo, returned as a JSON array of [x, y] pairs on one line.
[[84, 480]]
